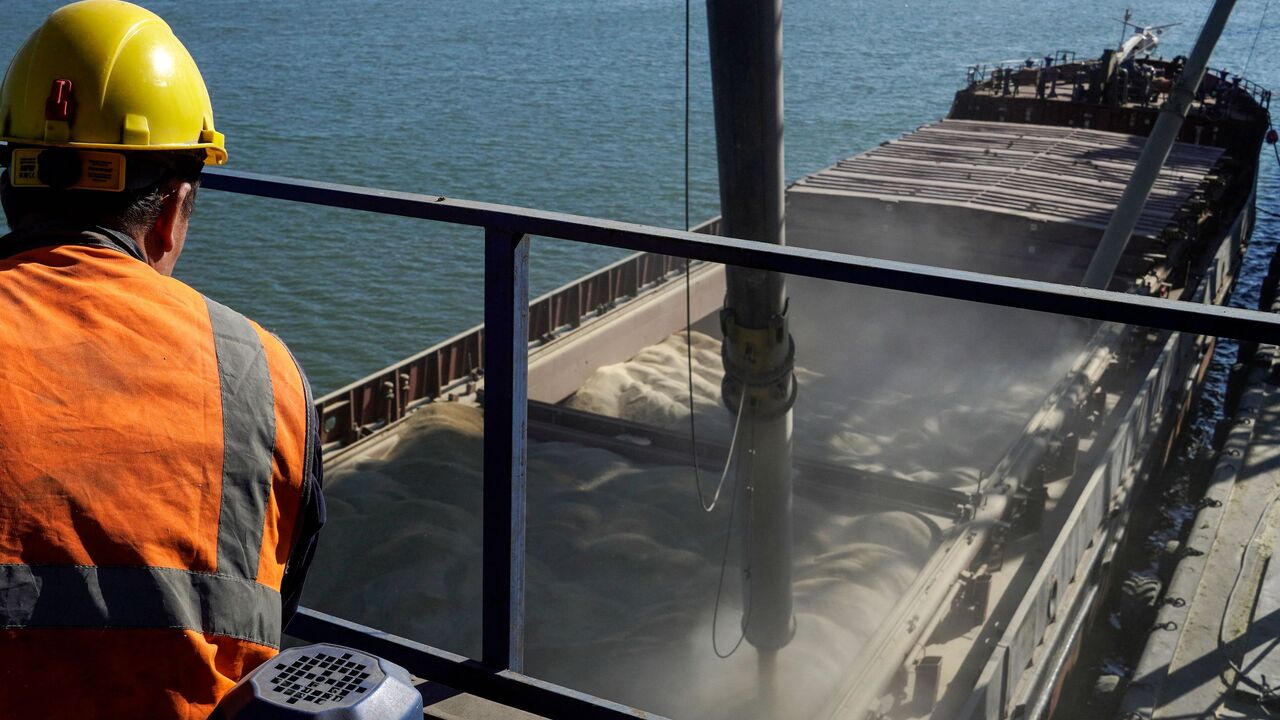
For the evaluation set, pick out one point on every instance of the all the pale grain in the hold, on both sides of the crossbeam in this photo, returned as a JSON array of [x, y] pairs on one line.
[[624, 566]]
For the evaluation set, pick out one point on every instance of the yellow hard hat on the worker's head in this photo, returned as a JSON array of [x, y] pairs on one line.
[[109, 76]]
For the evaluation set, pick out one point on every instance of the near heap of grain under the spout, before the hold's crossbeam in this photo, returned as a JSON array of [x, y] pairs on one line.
[[623, 572]]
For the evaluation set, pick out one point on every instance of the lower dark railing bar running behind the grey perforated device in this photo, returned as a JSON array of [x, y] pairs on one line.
[[461, 673]]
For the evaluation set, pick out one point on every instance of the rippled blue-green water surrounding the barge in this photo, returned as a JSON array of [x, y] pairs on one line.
[[569, 106]]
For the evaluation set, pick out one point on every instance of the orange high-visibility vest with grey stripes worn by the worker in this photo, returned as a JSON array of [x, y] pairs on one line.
[[153, 452]]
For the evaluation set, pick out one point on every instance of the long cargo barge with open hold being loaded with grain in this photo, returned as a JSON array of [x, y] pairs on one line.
[[963, 472]]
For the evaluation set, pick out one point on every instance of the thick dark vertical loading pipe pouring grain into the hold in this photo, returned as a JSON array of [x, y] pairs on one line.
[[758, 352]]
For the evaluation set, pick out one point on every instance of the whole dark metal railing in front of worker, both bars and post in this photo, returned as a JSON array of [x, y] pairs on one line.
[[497, 676]]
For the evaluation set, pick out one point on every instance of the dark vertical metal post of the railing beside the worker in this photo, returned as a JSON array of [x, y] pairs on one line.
[[506, 403]]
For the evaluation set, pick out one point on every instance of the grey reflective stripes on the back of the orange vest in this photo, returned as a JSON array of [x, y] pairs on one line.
[[228, 603]]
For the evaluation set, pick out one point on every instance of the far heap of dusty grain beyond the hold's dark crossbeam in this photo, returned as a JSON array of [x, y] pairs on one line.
[[940, 412]]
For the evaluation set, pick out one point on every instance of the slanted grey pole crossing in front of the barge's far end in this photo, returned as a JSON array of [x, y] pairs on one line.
[[1156, 152]]
